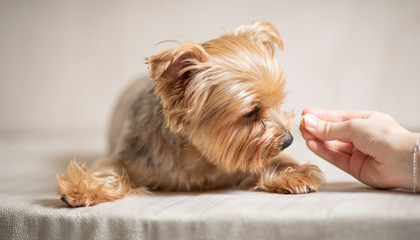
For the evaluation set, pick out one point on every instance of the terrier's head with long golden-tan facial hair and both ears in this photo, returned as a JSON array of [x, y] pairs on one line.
[[224, 96]]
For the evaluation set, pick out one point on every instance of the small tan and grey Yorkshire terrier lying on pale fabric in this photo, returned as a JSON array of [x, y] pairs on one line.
[[210, 118]]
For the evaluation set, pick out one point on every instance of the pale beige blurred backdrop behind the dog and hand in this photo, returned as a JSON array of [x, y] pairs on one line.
[[63, 63]]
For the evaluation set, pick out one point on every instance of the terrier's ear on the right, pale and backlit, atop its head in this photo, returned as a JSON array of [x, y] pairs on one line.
[[263, 33]]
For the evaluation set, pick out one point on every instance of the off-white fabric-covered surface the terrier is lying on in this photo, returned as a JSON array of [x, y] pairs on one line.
[[343, 209]]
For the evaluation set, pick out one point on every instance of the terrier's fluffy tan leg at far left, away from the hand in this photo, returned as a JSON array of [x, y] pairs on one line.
[[81, 187]]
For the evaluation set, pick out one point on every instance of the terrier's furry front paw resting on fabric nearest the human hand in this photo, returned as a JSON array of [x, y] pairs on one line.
[[301, 179]]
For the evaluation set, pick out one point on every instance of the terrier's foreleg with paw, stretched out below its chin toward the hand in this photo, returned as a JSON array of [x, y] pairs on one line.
[[283, 175]]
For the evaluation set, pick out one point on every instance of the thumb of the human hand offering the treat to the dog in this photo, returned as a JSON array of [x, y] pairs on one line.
[[327, 131]]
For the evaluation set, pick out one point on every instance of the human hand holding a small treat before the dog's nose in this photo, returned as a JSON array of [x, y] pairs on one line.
[[371, 146]]
